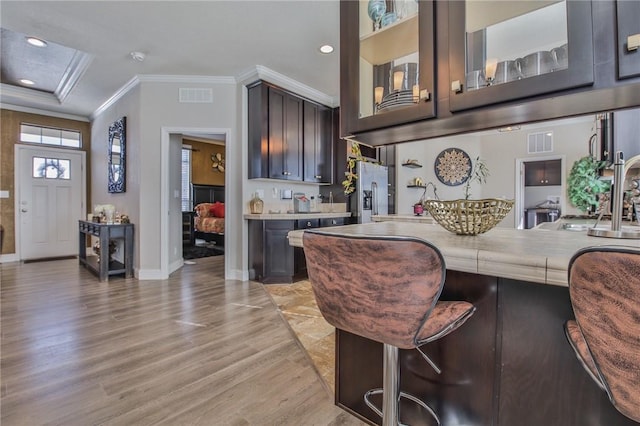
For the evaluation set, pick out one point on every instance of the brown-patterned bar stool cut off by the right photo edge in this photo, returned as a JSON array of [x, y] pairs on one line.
[[604, 287]]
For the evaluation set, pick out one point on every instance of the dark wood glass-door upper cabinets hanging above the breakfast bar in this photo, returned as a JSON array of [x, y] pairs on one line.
[[483, 64]]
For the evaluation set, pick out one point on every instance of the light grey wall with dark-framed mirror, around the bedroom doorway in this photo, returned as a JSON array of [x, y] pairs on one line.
[[151, 105]]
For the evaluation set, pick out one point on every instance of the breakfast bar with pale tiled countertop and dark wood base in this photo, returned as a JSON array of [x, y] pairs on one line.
[[511, 362]]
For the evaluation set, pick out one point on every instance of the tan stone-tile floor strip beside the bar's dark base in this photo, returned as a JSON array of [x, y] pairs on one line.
[[298, 306]]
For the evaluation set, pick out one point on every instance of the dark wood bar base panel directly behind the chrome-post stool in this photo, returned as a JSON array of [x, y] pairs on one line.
[[463, 394]]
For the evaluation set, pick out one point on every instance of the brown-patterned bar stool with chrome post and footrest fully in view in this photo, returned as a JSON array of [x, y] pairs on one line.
[[385, 289]]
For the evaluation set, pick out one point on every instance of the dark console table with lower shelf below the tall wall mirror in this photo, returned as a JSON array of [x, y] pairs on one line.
[[103, 266]]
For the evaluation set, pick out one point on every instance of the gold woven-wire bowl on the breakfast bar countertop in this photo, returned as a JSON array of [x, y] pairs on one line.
[[469, 217]]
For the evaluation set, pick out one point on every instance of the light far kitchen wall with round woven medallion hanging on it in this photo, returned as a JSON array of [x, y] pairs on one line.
[[500, 151]]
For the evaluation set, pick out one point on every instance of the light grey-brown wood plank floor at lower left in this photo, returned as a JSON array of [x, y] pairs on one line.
[[191, 350]]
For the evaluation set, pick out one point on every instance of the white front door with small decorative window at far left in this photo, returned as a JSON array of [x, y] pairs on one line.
[[51, 200]]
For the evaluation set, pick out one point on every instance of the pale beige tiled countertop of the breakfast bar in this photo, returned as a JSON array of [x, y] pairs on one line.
[[540, 256]]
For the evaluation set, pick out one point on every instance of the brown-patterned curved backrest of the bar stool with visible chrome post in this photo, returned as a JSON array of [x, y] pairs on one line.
[[381, 288]]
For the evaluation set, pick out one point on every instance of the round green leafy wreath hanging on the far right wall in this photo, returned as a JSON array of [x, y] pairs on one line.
[[585, 184]]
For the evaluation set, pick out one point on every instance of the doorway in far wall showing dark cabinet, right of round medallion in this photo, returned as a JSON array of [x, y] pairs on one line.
[[540, 190]]
